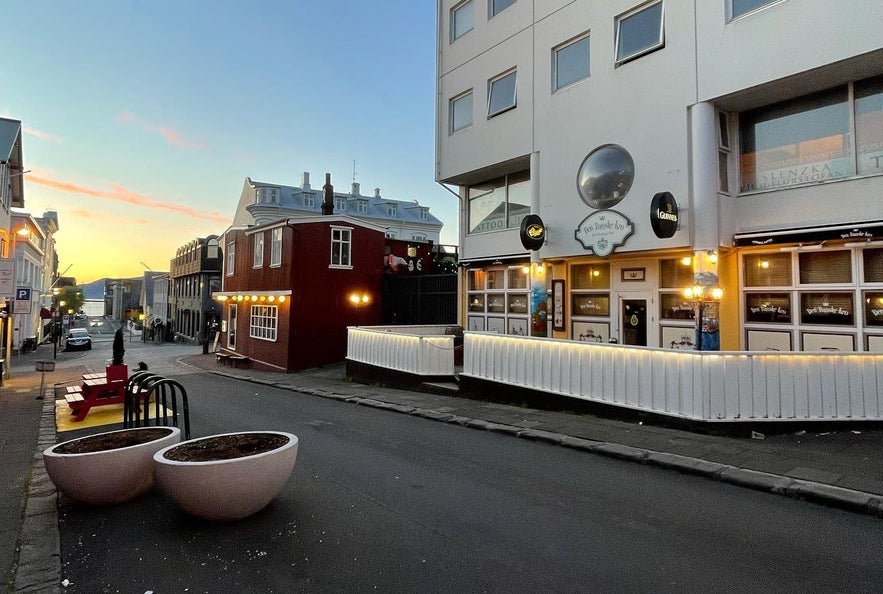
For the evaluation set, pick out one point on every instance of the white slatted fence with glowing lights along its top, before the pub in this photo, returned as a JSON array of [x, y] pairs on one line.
[[703, 386]]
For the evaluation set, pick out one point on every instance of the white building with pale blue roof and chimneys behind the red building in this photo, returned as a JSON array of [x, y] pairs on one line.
[[263, 203]]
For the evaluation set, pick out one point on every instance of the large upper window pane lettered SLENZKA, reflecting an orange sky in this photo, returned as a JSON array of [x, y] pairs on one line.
[[796, 142]]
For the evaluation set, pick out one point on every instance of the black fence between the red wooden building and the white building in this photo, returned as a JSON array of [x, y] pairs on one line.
[[420, 299]]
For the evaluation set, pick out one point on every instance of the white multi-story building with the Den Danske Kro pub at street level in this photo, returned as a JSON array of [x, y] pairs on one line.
[[665, 145]]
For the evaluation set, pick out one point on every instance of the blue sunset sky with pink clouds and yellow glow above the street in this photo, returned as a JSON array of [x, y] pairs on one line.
[[141, 120]]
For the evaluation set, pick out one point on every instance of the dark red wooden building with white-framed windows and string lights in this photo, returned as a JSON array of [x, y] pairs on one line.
[[292, 287]]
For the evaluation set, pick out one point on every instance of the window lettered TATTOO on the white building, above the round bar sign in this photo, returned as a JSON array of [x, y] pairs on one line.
[[499, 203]]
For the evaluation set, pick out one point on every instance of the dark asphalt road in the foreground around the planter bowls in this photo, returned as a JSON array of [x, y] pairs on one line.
[[381, 501]]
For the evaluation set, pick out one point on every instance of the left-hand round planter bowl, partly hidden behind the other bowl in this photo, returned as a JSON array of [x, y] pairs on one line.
[[109, 476]]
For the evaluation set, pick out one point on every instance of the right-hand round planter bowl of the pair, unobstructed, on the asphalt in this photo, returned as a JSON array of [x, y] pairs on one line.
[[228, 489]]
